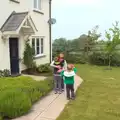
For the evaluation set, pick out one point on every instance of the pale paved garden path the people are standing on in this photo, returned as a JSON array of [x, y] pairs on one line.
[[50, 107]]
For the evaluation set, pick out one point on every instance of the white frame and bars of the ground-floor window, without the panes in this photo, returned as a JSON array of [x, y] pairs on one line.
[[40, 46]]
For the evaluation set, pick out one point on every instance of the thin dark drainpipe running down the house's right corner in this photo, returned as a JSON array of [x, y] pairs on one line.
[[50, 38]]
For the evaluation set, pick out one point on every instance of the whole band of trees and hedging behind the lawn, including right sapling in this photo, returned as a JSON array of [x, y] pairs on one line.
[[90, 47]]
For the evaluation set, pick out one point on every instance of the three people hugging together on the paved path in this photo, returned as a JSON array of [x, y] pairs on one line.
[[63, 76]]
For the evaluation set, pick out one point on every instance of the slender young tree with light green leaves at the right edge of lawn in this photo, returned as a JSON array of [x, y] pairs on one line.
[[113, 39]]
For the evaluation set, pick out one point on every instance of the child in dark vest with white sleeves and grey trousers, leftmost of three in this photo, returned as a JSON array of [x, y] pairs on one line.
[[57, 77]]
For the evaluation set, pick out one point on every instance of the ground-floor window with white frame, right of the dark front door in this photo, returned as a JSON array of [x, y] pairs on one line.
[[38, 45]]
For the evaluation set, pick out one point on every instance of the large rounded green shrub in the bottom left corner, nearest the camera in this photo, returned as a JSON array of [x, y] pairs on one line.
[[14, 103]]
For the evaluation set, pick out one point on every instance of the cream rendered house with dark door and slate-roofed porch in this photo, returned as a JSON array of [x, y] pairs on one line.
[[22, 20]]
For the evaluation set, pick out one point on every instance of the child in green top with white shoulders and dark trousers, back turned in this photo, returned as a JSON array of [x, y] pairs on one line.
[[69, 80]]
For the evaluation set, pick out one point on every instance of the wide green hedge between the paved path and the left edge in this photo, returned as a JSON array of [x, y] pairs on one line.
[[18, 94]]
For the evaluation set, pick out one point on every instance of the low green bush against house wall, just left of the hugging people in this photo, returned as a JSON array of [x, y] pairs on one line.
[[44, 68]]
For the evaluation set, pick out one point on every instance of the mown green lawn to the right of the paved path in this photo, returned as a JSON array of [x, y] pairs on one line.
[[98, 97]]
